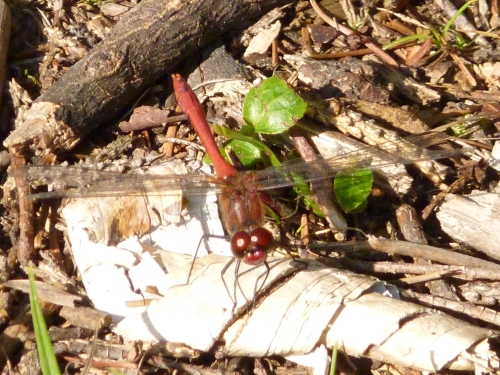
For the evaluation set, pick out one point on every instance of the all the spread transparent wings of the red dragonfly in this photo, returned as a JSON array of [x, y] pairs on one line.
[[98, 183]]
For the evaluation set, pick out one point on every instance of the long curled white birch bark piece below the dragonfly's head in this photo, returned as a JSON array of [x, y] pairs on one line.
[[318, 306]]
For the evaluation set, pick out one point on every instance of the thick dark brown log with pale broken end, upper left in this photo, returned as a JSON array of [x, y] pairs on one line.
[[150, 41]]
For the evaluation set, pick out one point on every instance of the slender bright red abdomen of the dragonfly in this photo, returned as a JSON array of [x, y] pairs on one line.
[[190, 105]]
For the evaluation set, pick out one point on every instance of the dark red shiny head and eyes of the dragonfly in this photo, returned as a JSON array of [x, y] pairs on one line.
[[252, 247]]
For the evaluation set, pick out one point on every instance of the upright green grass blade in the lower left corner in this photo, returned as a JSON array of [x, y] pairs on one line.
[[48, 360]]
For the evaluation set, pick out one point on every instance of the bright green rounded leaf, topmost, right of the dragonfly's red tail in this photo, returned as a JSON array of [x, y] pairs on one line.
[[273, 107]]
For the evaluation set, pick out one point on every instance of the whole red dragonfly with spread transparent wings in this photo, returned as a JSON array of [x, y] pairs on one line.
[[239, 193]]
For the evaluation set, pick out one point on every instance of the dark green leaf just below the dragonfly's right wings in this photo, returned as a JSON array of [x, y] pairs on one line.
[[352, 188]]
